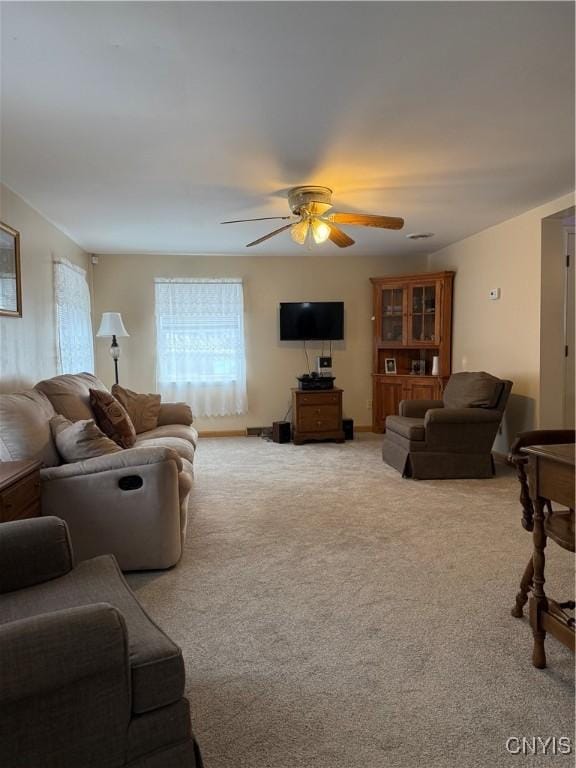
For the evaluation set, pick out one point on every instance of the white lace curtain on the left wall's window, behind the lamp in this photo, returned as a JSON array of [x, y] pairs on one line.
[[73, 318]]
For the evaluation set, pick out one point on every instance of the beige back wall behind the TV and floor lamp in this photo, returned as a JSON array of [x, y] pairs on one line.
[[125, 284]]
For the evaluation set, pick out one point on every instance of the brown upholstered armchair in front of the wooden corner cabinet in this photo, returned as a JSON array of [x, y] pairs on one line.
[[452, 437]]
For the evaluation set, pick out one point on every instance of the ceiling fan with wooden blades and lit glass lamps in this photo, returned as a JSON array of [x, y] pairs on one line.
[[311, 223]]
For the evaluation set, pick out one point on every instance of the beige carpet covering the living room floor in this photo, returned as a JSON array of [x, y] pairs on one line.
[[333, 615]]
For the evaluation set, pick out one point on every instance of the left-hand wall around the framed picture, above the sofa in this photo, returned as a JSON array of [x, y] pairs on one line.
[[28, 344]]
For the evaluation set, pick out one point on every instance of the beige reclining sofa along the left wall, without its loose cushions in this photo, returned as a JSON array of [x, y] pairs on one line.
[[133, 503]]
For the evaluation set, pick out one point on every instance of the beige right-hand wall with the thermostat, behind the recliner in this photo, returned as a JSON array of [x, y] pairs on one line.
[[502, 337]]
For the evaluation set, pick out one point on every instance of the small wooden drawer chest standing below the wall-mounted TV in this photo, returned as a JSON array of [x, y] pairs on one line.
[[317, 415]]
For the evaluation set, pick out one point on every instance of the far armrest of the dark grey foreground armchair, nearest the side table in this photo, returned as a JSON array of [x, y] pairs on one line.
[[33, 551]]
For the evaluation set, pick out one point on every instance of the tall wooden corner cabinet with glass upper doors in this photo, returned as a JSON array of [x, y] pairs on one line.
[[412, 326]]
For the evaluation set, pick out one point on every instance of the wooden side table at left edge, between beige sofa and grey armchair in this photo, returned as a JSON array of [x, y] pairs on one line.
[[19, 490]]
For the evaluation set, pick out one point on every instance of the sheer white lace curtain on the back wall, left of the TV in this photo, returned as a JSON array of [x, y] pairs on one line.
[[200, 355]]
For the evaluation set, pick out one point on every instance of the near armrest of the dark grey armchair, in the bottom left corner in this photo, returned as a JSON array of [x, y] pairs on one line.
[[65, 694]]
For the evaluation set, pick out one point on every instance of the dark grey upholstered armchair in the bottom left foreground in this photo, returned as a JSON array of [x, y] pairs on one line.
[[87, 678]]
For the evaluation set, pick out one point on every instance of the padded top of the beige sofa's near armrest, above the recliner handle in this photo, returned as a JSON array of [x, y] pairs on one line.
[[128, 458]]
